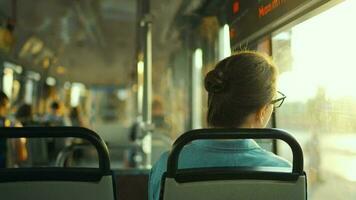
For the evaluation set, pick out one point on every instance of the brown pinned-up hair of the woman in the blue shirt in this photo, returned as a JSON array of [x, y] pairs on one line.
[[239, 86]]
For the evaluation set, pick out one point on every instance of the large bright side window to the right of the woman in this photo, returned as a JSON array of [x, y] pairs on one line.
[[317, 73]]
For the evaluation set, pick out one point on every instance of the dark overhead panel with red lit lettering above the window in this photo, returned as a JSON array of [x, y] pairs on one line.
[[250, 20]]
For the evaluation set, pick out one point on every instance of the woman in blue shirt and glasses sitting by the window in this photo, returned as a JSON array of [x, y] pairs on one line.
[[241, 94]]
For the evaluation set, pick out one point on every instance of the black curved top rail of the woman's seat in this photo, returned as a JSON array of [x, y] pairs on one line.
[[207, 134]]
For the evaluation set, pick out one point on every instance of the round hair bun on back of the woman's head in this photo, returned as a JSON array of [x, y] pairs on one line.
[[215, 81]]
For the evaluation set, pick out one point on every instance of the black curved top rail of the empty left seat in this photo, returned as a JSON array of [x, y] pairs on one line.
[[63, 132]]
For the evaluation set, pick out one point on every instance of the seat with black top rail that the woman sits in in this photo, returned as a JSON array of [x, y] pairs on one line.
[[234, 183]]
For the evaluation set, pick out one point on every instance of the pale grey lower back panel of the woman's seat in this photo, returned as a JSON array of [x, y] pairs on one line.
[[236, 189]]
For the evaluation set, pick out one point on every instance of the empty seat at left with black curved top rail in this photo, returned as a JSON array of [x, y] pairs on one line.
[[57, 183]]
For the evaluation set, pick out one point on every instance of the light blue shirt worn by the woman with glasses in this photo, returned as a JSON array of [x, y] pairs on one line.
[[209, 153]]
